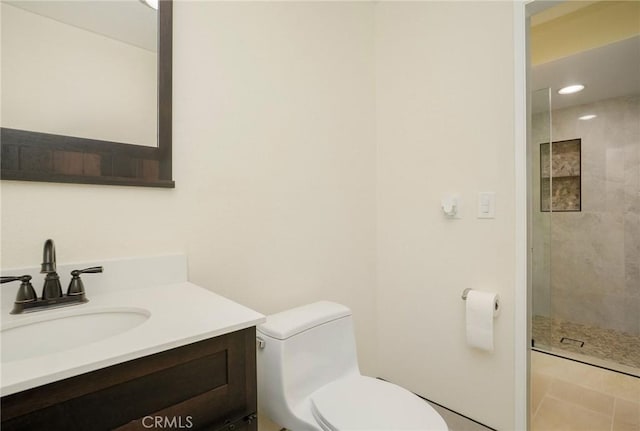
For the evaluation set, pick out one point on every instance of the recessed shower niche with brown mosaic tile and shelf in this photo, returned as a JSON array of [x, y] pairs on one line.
[[560, 176]]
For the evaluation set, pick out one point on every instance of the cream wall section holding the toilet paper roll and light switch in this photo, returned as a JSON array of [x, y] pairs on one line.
[[445, 95]]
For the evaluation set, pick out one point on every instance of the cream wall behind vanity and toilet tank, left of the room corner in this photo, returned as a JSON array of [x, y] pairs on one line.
[[274, 165]]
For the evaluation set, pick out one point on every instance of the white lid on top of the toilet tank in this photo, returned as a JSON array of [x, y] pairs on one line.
[[296, 320]]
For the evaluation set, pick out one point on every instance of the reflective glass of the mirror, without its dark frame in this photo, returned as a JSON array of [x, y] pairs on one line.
[[99, 57]]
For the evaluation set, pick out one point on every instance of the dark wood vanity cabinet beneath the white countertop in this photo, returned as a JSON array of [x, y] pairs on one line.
[[207, 385]]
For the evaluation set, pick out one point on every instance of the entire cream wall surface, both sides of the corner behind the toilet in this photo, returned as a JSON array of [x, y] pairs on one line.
[[312, 142]]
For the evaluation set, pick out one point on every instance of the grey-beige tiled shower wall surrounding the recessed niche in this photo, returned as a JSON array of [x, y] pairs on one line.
[[587, 263]]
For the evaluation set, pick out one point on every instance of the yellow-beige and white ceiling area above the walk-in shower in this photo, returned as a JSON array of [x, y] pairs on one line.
[[596, 44]]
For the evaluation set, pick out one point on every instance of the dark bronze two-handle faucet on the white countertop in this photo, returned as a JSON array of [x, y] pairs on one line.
[[52, 296]]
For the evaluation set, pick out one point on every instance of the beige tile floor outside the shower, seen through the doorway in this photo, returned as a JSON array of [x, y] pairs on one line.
[[568, 395]]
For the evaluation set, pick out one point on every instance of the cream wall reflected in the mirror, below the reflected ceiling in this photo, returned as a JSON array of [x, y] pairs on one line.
[[61, 79]]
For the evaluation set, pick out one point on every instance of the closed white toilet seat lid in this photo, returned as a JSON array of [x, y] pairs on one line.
[[364, 403]]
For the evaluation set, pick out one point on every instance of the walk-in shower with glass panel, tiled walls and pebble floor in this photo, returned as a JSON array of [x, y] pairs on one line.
[[584, 185]]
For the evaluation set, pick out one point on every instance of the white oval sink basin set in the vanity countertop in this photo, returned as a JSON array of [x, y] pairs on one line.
[[43, 335]]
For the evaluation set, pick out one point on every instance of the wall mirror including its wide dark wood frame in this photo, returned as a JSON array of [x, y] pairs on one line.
[[87, 92]]
